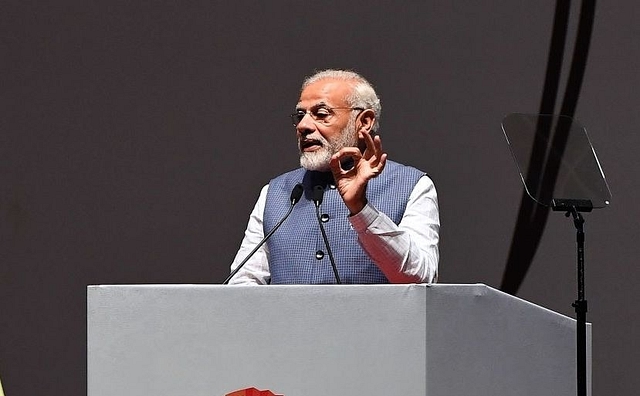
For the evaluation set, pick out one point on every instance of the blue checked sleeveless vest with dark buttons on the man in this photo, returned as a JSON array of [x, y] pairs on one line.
[[297, 254]]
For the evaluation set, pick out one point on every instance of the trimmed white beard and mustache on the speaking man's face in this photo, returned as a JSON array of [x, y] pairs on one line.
[[319, 160]]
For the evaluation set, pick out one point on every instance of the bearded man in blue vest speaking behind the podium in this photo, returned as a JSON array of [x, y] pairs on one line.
[[348, 215]]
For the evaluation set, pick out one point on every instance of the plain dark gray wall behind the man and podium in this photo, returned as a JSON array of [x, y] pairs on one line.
[[135, 136]]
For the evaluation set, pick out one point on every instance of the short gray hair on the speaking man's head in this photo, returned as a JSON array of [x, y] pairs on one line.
[[363, 95]]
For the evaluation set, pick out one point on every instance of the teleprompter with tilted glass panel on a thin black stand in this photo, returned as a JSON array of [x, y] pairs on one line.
[[559, 169]]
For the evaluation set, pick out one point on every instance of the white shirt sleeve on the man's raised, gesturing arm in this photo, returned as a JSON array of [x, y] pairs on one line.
[[407, 252]]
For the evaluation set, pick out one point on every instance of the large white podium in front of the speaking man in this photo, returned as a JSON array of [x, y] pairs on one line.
[[386, 340]]
